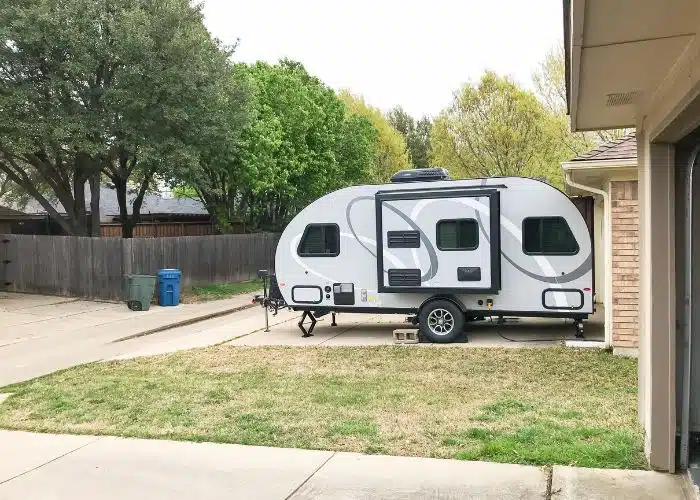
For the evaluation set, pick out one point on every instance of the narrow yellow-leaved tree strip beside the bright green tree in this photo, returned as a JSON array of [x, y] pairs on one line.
[[390, 154]]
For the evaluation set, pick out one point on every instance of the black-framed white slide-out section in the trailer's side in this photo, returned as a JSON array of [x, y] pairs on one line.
[[440, 240]]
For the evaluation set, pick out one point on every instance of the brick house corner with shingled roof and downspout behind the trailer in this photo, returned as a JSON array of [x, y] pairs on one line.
[[609, 173]]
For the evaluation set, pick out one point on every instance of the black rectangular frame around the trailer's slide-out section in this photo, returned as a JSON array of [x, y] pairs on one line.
[[441, 193]]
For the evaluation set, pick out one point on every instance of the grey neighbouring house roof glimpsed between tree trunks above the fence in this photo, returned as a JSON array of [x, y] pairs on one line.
[[153, 204]]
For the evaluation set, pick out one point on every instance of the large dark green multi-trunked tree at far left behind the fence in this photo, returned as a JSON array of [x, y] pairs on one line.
[[102, 87]]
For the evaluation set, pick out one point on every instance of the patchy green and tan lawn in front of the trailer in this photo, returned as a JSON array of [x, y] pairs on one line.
[[530, 406]]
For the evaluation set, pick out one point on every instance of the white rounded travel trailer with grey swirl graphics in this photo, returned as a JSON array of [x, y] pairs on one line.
[[445, 250]]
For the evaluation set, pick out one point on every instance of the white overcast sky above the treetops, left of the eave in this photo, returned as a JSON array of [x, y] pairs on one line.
[[410, 53]]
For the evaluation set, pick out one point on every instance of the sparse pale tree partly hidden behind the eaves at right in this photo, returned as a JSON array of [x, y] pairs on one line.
[[550, 84]]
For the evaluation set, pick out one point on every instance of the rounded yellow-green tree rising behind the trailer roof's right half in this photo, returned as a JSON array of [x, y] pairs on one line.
[[495, 128]]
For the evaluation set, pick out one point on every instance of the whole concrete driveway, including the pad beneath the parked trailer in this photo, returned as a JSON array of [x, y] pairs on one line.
[[39, 334]]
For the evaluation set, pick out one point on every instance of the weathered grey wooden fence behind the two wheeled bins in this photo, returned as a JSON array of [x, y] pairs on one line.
[[93, 267]]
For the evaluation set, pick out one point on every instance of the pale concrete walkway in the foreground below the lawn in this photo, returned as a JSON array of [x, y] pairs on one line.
[[43, 466]]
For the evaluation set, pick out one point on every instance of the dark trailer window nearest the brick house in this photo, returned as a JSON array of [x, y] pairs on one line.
[[548, 236]]
